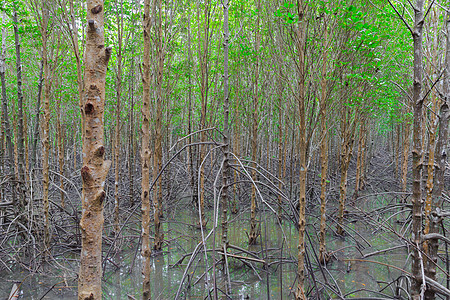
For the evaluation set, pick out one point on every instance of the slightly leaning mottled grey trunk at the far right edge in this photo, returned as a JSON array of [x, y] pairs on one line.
[[441, 158]]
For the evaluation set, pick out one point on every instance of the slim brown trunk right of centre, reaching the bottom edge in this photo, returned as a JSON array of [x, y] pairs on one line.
[[301, 43]]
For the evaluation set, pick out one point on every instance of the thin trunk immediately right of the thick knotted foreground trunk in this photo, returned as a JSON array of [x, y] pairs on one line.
[[119, 21]]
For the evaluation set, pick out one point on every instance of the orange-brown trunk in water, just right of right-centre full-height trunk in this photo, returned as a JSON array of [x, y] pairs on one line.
[[323, 256]]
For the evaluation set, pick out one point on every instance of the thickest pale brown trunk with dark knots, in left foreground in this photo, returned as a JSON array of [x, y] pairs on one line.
[[95, 167]]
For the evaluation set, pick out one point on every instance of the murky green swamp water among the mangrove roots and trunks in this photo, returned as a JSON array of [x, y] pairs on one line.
[[123, 271]]
